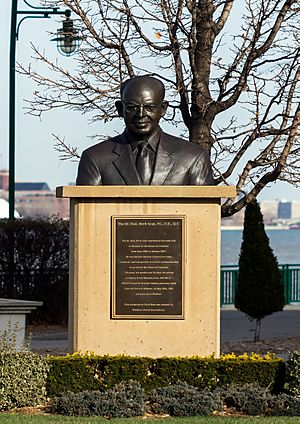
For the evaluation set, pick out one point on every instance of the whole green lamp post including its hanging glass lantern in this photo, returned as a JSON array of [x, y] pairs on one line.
[[67, 40]]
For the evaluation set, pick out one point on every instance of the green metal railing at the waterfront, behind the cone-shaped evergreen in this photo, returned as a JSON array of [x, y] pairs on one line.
[[291, 280]]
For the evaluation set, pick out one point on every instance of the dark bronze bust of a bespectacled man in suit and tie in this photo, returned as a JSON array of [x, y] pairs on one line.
[[143, 154]]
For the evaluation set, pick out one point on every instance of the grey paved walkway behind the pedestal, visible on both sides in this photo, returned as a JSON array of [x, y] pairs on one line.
[[235, 326]]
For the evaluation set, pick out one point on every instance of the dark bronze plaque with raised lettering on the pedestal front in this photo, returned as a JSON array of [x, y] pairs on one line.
[[148, 267]]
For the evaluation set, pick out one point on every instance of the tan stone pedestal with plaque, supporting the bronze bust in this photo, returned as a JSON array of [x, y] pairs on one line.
[[119, 271]]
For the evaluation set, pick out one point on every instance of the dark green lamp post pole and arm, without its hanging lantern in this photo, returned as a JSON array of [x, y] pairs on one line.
[[35, 12]]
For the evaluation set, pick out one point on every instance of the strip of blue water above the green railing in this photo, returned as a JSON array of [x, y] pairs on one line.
[[285, 244]]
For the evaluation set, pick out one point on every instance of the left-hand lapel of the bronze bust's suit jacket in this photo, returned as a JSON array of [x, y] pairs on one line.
[[124, 163]]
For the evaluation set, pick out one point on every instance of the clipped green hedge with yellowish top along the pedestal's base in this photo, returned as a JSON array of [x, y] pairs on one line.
[[90, 372]]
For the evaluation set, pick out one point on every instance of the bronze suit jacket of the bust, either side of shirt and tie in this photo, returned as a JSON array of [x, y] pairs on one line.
[[178, 162]]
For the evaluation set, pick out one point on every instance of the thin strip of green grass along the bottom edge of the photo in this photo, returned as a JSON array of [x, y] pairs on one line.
[[34, 419]]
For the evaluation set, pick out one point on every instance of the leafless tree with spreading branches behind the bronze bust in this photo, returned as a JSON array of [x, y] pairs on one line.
[[222, 62]]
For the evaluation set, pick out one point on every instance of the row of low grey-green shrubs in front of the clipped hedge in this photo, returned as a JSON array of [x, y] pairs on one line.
[[128, 399]]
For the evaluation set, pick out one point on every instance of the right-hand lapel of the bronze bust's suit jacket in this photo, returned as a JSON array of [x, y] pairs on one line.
[[164, 162]]
